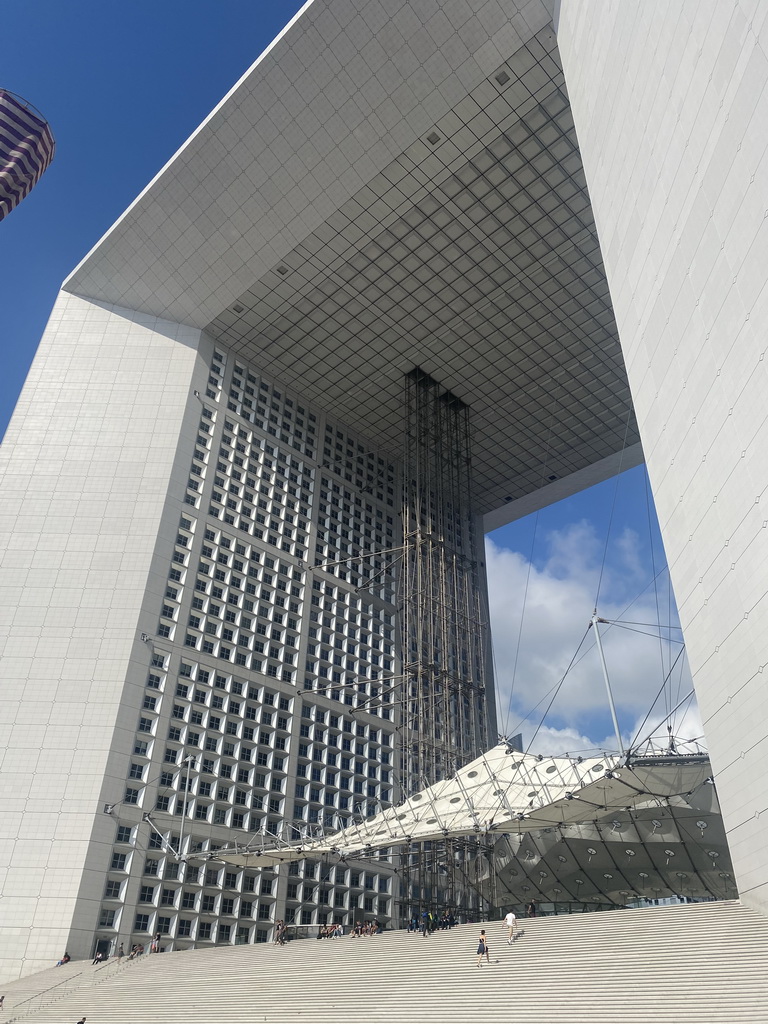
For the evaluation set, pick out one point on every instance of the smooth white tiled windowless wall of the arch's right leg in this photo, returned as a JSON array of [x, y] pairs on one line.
[[671, 106]]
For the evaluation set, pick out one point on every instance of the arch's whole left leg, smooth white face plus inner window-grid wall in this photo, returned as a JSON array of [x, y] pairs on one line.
[[162, 504]]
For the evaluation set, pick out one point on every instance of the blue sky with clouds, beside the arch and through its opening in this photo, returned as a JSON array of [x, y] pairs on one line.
[[123, 87]]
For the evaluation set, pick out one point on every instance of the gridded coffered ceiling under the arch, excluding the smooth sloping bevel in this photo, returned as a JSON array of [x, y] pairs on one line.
[[477, 260]]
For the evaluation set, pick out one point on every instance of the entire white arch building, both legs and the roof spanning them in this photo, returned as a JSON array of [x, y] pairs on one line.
[[217, 408]]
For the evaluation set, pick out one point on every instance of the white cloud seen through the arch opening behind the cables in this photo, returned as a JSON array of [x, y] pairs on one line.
[[540, 615]]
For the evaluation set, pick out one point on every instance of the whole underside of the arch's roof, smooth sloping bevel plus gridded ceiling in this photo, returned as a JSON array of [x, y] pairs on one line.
[[468, 249]]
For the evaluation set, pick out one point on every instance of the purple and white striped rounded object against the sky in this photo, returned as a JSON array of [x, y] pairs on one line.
[[27, 148]]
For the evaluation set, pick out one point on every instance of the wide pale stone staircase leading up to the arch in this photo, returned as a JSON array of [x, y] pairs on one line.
[[704, 963]]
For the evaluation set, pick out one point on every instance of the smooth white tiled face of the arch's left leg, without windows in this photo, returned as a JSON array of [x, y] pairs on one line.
[[86, 470]]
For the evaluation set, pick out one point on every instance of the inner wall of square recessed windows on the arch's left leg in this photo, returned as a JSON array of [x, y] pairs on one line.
[[224, 743]]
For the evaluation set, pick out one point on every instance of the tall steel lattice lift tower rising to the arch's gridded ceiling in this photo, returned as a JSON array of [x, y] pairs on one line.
[[444, 628]]
